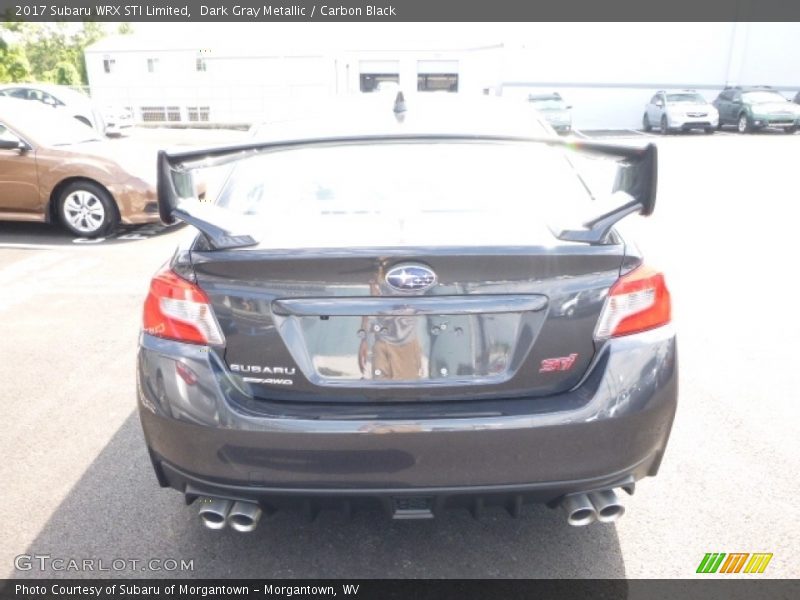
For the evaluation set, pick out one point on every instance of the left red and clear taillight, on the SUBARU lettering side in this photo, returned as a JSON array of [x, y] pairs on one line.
[[179, 310]]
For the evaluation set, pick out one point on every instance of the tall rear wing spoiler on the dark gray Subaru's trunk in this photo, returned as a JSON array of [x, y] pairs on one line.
[[637, 169]]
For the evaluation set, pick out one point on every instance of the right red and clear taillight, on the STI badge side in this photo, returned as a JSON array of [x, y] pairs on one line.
[[637, 301]]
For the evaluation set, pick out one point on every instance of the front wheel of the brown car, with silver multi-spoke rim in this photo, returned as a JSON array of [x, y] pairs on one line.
[[86, 209]]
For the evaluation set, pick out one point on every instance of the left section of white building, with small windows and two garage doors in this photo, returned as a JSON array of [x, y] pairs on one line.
[[227, 83]]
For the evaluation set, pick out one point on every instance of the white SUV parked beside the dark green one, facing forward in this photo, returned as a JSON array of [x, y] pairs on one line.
[[679, 111]]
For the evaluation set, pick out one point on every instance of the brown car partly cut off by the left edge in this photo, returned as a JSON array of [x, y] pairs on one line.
[[53, 168]]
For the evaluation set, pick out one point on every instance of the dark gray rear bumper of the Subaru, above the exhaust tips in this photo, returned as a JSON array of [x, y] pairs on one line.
[[608, 432]]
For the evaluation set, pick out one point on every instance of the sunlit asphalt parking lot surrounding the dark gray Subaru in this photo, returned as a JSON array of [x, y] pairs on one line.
[[77, 483]]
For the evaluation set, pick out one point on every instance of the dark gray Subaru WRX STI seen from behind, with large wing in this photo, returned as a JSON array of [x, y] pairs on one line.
[[388, 310]]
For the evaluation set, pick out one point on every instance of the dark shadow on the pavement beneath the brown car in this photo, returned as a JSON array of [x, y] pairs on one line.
[[51, 234]]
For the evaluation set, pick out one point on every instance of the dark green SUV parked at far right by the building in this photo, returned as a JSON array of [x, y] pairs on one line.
[[753, 108]]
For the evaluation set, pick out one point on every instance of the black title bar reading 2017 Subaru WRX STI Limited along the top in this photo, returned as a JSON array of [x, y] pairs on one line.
[[263, 11]]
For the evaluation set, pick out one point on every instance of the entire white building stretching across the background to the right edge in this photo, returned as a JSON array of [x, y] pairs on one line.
[[607, 71]]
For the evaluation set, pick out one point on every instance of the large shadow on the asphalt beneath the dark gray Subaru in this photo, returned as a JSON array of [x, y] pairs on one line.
[[117, 510]]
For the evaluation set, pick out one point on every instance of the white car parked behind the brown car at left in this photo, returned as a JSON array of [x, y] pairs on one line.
[[106, 120]]
